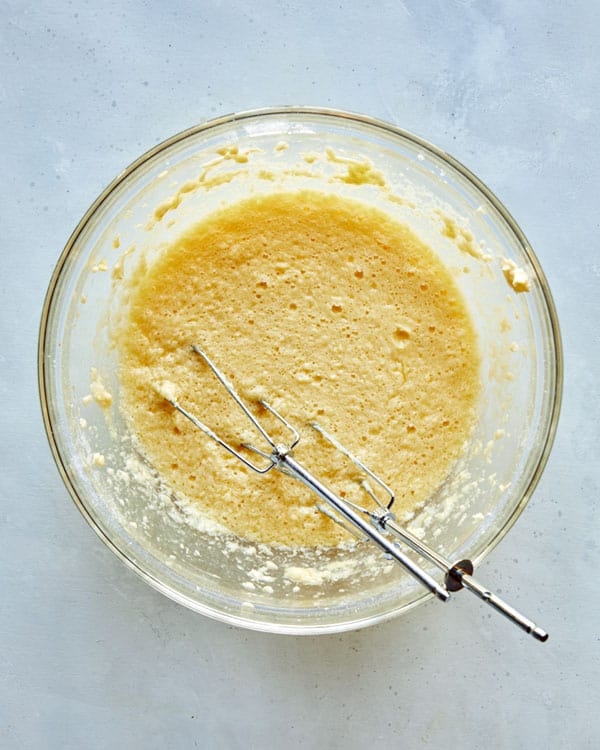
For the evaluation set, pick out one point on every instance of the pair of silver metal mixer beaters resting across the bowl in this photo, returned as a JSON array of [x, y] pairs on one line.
[[377, 525]]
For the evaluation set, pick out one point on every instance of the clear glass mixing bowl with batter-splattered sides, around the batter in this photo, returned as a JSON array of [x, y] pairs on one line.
[[185, 178]]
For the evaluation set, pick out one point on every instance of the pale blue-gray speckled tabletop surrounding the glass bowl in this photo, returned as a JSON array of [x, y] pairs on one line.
[[90, 657]]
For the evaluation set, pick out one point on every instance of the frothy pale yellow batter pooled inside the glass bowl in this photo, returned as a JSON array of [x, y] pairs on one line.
[[330, 311]]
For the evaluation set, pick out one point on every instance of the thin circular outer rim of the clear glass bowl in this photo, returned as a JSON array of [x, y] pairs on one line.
[[360, 119]]
